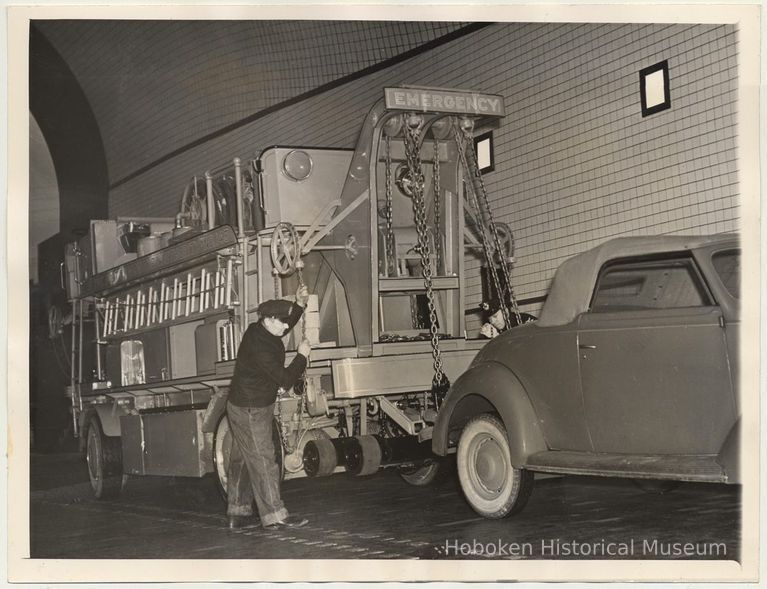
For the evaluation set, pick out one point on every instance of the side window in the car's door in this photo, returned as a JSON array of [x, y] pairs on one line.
[[649, 284]]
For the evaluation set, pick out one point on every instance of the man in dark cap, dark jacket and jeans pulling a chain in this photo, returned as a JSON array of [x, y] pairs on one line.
[[259, 373]]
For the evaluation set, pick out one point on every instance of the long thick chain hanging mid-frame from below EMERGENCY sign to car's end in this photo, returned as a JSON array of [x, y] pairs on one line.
[[412, 153]]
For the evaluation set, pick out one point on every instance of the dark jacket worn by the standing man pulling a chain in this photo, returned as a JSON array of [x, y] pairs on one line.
[[260, 367]]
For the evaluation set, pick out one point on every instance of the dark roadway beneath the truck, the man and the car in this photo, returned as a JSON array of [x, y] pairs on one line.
[[378, 517]]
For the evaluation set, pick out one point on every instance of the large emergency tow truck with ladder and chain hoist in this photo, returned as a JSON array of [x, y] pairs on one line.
[[379, 234]]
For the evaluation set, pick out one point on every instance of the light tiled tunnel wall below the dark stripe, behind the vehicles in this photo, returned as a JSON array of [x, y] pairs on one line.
[[575, 161]]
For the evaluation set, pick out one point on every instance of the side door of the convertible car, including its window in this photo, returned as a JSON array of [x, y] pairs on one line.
[[653, 360]]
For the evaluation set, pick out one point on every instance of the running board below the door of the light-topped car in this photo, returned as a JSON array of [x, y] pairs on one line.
[[684, 468]]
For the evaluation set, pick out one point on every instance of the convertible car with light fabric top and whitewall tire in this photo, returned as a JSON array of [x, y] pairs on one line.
[[630, 371]]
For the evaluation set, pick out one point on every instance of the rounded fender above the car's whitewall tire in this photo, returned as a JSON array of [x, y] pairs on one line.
[[486, 388]]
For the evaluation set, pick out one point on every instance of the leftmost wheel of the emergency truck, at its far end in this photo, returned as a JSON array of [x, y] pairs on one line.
[[104, 457]]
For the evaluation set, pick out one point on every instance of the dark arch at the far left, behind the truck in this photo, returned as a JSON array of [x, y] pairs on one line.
[[69, 126]]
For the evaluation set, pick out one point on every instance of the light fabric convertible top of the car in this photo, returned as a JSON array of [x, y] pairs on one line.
[[574, 280]]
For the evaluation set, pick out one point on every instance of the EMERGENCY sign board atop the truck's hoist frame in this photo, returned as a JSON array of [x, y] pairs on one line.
[[447, 101]]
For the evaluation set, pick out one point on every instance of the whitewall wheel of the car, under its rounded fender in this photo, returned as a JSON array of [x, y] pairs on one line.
[[492, 486]]
